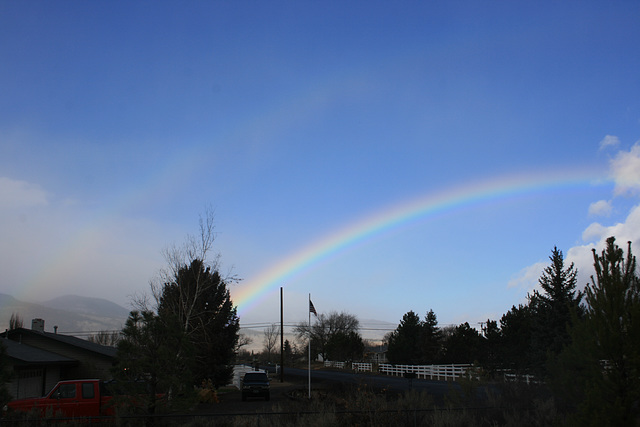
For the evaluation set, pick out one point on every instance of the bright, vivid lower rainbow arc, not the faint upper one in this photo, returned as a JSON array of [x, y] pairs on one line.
[[467, 195]]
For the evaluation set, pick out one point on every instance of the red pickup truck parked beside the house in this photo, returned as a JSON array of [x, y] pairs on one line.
[[69, 399]]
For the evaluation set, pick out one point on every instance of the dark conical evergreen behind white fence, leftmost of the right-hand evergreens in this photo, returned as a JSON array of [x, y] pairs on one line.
[[405, 342]]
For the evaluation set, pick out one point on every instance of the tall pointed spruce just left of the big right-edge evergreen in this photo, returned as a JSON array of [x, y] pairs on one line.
[[552, 310]]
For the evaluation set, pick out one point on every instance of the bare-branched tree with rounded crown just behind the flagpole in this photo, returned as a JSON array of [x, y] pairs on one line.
[[324, 328]]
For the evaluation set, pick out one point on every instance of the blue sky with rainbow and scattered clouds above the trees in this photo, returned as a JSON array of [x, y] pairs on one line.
[[381, 157]]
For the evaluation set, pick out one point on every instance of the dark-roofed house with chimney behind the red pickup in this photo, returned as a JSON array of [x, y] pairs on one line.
[[40, 359]]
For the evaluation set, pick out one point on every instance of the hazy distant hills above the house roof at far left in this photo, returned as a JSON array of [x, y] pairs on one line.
[[74, 315]]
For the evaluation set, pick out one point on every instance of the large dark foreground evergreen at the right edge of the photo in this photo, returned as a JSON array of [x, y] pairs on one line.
[[598, 373]]
